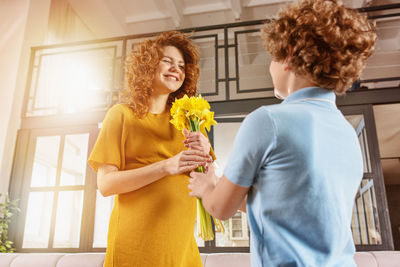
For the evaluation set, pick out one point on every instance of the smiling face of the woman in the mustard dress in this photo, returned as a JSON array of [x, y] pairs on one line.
[[170, 72]]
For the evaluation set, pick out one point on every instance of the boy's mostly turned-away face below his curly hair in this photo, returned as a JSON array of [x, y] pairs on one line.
[[280, 76]]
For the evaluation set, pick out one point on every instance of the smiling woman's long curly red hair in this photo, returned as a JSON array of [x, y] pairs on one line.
[[141, 65]]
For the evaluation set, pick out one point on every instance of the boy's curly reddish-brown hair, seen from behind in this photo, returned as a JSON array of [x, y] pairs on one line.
[[323, 41]]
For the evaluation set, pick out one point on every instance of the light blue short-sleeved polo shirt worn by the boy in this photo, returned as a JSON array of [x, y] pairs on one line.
[[303, 164]]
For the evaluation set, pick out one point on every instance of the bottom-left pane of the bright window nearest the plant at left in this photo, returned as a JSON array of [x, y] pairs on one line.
[[38, 217]]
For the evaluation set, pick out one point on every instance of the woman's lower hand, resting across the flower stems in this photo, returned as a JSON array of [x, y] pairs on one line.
[[187, 161]]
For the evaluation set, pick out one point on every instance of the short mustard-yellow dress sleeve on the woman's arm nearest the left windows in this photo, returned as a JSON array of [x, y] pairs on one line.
[[108, 148]]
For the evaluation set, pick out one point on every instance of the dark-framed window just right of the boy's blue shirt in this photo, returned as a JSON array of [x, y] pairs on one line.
[[370, 223]]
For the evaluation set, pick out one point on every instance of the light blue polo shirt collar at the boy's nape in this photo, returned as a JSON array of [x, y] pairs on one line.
[[312, 93]]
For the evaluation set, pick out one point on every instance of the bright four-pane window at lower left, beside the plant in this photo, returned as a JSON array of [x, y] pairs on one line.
[[57, 188]]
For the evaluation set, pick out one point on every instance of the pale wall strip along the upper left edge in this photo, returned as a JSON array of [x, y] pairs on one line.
[[23, 24]]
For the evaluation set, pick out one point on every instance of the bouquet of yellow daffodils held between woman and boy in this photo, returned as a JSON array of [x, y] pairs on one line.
[[193, 113]]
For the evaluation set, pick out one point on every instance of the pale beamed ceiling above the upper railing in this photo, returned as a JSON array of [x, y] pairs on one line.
[[125, 17]]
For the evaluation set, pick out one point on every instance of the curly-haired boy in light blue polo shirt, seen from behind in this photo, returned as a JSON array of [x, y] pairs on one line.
[[299, 162]]
